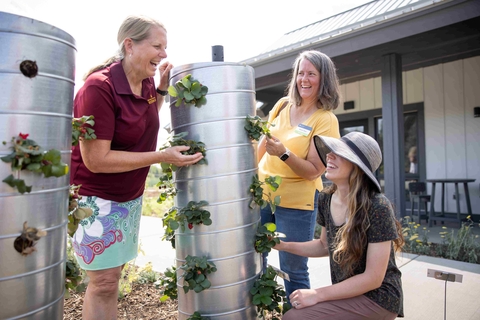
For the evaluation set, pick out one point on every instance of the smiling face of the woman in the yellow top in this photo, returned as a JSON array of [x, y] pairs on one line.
[[308, 80]]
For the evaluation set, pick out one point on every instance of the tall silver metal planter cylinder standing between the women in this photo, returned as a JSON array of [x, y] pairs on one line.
[[224, 183]]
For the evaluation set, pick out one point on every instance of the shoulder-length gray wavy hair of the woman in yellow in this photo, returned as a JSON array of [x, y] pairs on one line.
[[328, 93]]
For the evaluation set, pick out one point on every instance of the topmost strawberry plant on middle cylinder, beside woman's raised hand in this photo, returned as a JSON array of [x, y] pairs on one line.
[[188, 91]]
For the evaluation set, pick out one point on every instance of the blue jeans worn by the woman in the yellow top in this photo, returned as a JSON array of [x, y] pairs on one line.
[[298, 226]]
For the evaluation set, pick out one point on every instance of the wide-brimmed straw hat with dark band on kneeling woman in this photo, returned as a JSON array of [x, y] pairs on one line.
[[356, 147]]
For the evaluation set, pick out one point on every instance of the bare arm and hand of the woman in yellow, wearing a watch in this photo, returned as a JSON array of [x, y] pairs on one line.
[[309, 169]]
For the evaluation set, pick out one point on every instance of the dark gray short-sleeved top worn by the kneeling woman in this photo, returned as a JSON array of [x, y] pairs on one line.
[[382, 228]]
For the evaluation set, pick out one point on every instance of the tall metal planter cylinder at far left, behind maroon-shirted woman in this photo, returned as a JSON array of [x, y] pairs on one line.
[[32, 286]]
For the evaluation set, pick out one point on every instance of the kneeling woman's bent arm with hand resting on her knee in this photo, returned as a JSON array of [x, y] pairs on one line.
[[377, 262]]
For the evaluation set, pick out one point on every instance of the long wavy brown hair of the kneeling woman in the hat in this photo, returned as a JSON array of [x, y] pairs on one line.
[[351, 240]]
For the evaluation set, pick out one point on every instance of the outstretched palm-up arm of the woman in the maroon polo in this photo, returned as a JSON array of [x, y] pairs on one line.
[[99, 158]]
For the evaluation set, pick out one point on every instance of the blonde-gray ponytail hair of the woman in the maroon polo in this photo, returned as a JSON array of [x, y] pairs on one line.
[[136, 28]]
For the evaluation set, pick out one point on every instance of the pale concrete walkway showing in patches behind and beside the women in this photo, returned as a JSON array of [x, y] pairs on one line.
[[424, 297]]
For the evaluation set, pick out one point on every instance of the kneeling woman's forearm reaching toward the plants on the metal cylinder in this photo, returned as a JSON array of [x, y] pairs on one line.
[[314, 248]]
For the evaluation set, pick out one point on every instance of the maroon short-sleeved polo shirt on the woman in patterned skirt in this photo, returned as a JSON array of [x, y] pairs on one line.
[[131, 124]]
